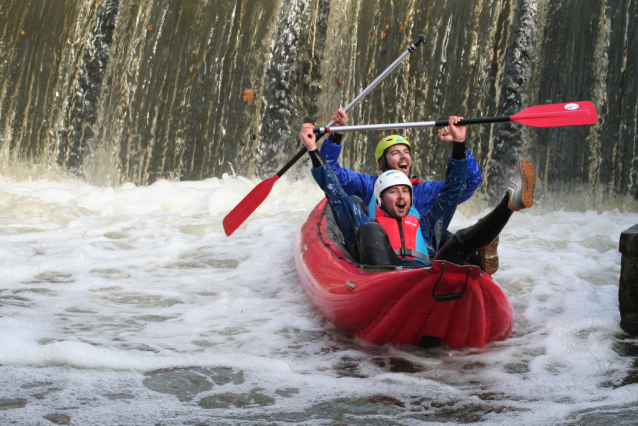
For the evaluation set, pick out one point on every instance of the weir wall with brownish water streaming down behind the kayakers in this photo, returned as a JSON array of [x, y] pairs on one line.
[[134, 91]]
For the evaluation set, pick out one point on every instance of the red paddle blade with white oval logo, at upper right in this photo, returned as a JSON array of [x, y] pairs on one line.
[[556, 115]]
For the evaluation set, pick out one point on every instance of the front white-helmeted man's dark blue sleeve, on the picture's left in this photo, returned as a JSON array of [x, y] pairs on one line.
[[348, 215]]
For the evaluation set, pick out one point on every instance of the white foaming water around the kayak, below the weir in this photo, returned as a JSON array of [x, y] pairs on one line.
[[130, 305]]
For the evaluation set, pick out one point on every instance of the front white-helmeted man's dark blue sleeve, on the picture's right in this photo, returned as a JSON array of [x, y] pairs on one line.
[[445, 202]]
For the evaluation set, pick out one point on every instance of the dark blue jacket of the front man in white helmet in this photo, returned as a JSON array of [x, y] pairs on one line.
[[350, 216]]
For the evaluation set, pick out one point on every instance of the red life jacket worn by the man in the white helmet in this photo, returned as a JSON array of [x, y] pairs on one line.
[[405, 236]]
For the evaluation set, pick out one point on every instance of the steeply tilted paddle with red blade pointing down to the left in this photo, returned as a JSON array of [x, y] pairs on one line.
[[247, 206]]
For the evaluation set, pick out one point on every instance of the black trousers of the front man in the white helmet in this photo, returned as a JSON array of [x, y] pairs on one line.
[[375, 247]]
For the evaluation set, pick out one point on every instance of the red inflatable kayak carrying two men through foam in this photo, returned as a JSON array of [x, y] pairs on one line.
[[444, 303]]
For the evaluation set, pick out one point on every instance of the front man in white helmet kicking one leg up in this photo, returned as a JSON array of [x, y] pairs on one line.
[[395, 197]]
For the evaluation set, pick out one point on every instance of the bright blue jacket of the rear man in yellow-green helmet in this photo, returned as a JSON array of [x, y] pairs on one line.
[[425, 193]]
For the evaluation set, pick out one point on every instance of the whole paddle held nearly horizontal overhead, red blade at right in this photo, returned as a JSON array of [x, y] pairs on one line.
[[551, 115]]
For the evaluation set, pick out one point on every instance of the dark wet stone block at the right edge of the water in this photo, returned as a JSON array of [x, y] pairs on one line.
[[628, 285]]
